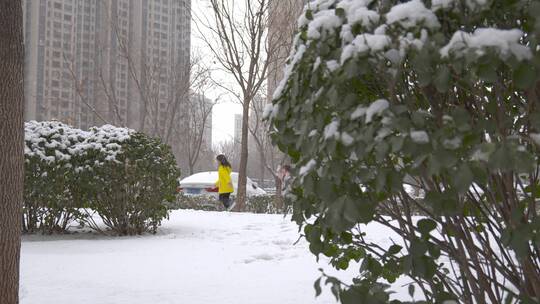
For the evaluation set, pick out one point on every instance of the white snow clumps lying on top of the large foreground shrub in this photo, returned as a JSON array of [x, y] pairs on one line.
[[367, 32]]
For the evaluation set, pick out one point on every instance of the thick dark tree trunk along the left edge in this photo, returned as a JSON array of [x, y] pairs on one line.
[[11, 147]]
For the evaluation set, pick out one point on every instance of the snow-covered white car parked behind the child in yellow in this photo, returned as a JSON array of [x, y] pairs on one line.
[[200, 184]]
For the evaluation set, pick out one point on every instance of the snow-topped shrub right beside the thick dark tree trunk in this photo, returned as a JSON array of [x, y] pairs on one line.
[[48, 204]]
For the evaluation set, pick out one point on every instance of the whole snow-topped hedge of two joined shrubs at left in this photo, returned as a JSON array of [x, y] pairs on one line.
[[122, 175]]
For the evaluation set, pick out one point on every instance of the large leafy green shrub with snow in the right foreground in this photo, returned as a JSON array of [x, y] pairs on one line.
[[421, 105]]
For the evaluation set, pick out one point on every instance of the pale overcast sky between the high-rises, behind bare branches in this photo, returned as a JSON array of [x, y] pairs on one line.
[[223, 113]]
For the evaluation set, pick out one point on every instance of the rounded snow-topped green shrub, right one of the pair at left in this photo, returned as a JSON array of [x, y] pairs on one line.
[[127, 178]]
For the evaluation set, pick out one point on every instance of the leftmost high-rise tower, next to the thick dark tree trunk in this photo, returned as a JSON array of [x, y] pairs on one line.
[[60, 45]]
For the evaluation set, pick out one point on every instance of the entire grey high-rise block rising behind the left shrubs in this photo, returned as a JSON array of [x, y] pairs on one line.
[[91, 62]]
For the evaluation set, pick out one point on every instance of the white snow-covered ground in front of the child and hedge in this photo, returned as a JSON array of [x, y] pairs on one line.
[[197, 257]]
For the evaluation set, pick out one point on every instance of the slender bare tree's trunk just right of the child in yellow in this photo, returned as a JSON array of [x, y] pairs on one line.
[[242, 171]]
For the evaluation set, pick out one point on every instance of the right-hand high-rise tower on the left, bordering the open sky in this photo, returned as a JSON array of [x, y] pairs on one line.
[[164, 58]]
